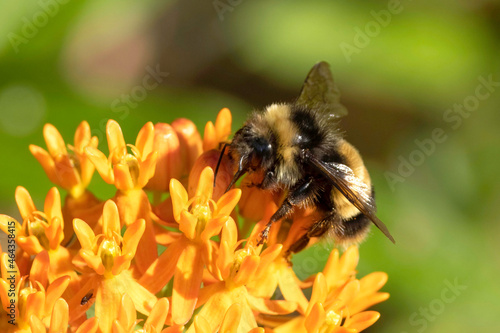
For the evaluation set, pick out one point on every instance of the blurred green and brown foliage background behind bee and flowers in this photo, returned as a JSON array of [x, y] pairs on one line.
[[77, 64]]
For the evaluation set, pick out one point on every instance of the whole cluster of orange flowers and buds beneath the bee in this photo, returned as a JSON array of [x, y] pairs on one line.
[[168, 252]]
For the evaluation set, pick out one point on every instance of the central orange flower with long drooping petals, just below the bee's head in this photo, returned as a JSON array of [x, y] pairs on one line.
[[199, 219]]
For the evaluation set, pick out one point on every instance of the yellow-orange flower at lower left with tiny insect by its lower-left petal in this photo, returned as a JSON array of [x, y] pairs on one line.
[[105, 260]]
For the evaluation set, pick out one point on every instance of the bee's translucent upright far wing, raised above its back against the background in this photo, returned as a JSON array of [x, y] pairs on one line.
[[319, 92]]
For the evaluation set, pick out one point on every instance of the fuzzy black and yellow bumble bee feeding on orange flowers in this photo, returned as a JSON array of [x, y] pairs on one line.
[[298, 148]]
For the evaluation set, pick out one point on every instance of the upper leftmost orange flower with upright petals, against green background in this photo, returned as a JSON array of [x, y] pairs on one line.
[[72, 171]]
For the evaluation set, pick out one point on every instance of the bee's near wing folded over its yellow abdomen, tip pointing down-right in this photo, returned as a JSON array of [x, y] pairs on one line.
[[344, 180]]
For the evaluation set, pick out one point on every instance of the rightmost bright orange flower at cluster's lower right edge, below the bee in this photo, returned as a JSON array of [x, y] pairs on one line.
[[338, 299]]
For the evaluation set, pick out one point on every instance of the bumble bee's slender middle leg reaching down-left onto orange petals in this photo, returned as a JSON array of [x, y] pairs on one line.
[[296, 195]]
